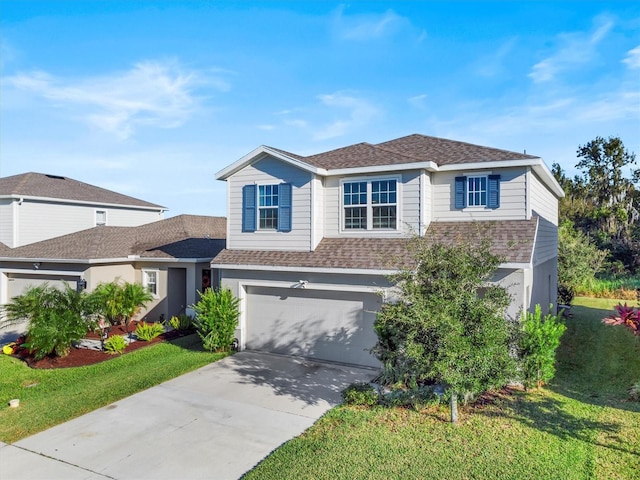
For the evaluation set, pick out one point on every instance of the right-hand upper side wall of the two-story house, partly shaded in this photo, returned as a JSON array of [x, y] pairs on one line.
[[544, 204]]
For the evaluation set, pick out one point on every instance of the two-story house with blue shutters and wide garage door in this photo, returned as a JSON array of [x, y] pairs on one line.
[[311, 240]]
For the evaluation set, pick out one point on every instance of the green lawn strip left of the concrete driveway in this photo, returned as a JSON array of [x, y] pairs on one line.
[[50, 397]]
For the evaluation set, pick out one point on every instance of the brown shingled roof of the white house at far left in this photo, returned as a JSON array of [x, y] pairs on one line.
[[39, 185]]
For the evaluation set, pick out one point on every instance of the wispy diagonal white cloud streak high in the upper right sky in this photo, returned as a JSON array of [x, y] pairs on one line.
[[574, 49]]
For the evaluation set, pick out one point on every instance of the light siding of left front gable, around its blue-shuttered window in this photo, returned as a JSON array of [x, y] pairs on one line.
[[265, 171]]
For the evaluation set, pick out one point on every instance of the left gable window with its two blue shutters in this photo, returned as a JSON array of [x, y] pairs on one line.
[[266, 207]]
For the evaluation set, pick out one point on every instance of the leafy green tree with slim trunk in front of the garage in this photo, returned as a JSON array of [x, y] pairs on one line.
[[448, 325]]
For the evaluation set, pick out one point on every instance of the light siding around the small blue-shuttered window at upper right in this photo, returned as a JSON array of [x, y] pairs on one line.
[[512, 196]]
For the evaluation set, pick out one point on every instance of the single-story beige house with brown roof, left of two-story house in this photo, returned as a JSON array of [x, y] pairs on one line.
[[170, 257]]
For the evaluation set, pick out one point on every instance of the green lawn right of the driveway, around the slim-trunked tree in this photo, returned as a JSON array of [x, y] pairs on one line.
[[580, 427]]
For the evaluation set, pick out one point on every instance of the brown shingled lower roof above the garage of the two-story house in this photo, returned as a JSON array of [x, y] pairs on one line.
[[512, 239]]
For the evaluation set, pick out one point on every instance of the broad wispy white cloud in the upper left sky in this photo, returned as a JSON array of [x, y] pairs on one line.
[[152, 93]]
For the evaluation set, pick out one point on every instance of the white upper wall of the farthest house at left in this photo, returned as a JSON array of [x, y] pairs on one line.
[[37, 221]]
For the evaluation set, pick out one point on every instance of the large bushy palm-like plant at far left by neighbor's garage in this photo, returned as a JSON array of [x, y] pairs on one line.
[[56, 318]]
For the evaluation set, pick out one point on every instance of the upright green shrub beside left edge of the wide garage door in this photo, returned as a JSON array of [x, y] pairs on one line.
[[216, 319]]
